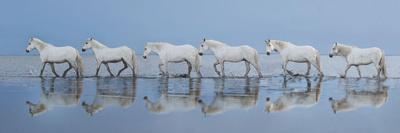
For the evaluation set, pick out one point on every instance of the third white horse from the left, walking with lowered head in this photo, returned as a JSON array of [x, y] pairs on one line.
[[170, 53]]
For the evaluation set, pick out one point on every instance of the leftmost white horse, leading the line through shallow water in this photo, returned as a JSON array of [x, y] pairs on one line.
[[57, 55]]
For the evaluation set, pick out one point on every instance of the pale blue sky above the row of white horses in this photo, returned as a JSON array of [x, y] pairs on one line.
[[134, 22]]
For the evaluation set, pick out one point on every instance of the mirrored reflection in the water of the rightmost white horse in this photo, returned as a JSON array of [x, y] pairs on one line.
[[356, 99]]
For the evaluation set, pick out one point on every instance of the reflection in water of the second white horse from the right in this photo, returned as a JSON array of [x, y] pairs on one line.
[[290, 100]]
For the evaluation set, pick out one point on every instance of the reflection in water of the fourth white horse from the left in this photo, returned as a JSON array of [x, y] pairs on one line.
[[224, 101]]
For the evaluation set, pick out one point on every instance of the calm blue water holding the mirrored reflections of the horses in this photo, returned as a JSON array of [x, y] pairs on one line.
[[153, 104]]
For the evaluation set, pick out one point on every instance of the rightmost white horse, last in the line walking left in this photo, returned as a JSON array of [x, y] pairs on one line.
[[356, 56]]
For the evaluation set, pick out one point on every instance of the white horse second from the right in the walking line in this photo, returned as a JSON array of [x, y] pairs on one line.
[[294, 53]]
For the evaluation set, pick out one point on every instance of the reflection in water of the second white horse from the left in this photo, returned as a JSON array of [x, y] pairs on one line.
[[111, 92]]
